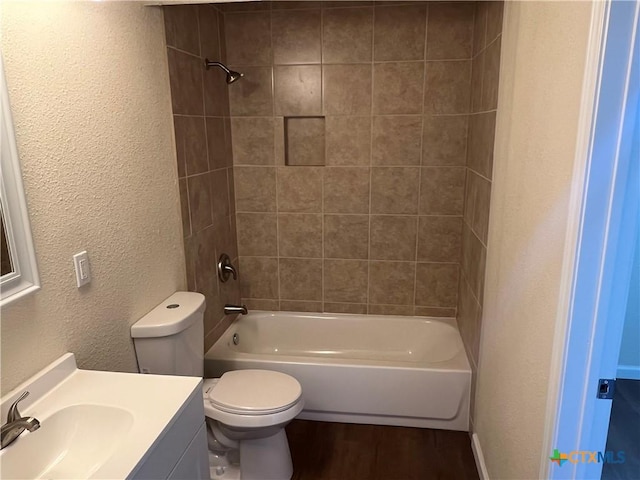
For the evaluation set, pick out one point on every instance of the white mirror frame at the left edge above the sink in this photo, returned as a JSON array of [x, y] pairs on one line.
[[24, 278]]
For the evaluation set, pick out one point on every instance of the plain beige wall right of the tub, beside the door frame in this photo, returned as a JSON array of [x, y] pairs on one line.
[[543, 59]]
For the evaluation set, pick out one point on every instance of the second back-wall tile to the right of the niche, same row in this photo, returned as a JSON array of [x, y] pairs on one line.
[[397, 140]]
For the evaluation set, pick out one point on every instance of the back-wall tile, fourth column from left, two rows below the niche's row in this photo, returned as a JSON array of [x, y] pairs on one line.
[[393, 238]]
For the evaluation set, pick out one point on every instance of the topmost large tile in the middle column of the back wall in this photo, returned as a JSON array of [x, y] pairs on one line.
[[347, 35]]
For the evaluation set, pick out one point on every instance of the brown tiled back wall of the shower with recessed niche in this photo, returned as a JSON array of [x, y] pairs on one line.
[[378, 228]]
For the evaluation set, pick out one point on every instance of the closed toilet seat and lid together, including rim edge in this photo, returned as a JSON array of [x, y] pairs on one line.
[[252, 398]]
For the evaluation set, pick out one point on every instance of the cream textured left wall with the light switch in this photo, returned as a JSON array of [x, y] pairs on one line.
[[89, 89]]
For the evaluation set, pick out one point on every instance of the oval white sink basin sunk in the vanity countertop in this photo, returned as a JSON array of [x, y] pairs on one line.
[[73, 443]]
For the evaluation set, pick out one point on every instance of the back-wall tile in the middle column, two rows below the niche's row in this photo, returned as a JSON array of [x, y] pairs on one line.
[[346, 236]]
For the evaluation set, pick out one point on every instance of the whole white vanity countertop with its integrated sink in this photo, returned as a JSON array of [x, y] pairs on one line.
[[101, 425]]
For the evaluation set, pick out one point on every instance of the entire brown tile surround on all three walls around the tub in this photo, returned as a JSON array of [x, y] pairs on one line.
[[395, 221]]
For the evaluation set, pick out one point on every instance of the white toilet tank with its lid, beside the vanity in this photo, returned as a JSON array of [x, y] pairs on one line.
[[169, 340]]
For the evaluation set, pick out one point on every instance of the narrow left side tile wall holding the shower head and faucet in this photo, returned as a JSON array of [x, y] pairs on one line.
[[203, 148]]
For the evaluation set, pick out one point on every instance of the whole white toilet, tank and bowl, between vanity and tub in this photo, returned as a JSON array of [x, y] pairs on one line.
[[246, 410]]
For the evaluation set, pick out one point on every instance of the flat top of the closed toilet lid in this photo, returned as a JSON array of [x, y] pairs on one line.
[[255, 392]]
